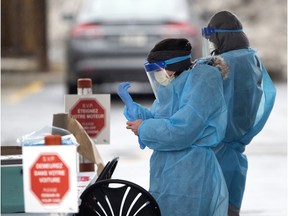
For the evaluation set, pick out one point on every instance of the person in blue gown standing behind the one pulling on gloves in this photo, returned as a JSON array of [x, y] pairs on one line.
[[249, 94]]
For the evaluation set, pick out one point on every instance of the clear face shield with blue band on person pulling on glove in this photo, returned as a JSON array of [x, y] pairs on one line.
[[159, 76]]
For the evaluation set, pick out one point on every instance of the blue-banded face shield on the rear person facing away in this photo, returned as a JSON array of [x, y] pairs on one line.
[[207, 46]]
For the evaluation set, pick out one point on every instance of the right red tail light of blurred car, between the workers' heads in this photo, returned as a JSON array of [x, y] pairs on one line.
[[180, 28]]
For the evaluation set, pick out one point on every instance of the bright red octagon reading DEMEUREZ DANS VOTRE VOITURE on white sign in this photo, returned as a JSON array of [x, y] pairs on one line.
[[49, 179]]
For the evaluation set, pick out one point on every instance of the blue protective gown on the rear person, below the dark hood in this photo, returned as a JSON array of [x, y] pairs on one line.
[[249, 94]]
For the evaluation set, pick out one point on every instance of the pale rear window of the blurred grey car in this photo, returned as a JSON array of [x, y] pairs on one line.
[[133, 10]]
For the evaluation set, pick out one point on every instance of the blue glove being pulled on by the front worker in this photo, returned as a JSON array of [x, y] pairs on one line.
[[128, 101]]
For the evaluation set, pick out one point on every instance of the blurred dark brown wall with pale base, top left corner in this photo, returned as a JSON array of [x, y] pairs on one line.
[[23, 34]]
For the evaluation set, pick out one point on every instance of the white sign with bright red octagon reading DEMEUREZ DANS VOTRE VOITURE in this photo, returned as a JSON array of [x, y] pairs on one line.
[[50, 179]]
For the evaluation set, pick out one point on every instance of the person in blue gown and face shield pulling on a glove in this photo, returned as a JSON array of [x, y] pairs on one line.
[[187, 118]]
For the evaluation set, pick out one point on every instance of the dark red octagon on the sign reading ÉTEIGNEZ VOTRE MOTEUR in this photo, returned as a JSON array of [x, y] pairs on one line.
[[90, 114]]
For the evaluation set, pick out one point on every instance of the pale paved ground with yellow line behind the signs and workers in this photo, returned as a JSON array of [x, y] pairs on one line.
[[29, 105]]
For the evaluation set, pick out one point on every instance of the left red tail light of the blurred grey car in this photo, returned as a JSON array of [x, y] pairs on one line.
[[87, 30]]
